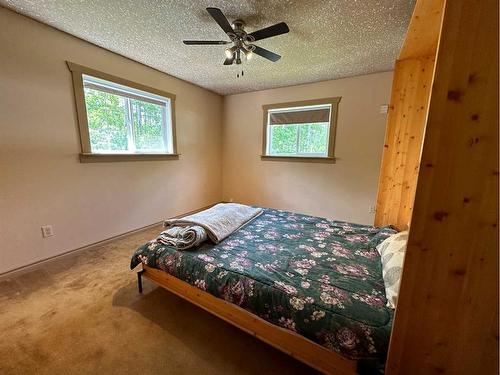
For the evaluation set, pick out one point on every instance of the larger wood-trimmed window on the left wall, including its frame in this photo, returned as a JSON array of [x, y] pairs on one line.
[[122, 120]]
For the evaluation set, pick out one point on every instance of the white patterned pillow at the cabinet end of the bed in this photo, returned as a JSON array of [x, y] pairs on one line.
[[392, 253]]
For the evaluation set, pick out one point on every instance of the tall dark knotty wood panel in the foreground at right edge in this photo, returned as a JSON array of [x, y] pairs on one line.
[[447, 316]]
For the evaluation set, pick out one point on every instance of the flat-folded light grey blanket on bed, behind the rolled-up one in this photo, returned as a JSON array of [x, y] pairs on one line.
[[219, 221]]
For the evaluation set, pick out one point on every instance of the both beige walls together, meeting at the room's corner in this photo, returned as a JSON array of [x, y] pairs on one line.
[[42, 181]]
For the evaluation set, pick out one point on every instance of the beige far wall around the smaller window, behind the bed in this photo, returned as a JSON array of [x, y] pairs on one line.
[[343, 190]]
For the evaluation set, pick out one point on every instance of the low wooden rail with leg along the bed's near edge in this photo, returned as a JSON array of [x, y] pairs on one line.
[[297, 346]]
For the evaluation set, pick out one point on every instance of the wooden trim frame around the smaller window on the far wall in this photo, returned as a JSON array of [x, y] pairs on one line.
[[330, 157]]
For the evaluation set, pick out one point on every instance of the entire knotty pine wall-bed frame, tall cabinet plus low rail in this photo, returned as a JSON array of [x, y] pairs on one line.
[[441, 73]]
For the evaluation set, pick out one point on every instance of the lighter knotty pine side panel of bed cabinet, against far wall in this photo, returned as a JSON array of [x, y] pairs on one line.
[[403, 141]]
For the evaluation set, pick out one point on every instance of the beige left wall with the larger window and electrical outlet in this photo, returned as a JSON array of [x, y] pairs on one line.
[[41, 179]]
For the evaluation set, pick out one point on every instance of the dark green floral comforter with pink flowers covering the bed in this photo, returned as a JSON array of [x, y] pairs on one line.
[[317, 277]]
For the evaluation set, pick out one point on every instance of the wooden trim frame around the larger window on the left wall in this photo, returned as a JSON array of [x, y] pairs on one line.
[[86, 155]]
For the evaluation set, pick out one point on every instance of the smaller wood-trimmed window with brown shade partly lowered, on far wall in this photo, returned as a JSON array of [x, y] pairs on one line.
[[301, 130]]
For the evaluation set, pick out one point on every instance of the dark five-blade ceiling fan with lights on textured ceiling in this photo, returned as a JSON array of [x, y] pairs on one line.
[[242, 42]]
